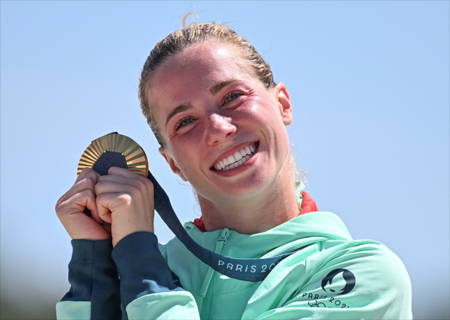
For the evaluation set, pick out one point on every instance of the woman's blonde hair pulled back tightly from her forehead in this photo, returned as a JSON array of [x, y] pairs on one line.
[[179, 40]]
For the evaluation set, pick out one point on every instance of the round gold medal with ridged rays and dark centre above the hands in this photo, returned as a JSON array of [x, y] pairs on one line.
[[114, 150]]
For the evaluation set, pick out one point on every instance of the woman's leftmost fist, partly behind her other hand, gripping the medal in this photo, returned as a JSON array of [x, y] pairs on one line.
[[71, 206]]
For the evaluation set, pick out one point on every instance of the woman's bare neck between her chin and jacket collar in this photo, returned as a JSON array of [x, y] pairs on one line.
[[270, 208]]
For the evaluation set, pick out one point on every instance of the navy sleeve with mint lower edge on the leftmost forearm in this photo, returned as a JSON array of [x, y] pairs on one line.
[[94, 292]]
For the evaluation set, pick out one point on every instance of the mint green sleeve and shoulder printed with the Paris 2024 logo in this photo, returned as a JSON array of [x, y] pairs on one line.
[[363, 281]]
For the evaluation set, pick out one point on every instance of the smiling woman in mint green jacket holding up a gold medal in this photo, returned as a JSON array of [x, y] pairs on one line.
[[220, 119]]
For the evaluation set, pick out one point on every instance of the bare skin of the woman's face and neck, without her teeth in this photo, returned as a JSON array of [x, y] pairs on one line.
[[252, 198]]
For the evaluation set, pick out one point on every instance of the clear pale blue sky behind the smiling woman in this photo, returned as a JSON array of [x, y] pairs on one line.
[[369, 81]]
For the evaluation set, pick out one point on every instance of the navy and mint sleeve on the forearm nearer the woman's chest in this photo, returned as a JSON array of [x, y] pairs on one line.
[[149, 290]]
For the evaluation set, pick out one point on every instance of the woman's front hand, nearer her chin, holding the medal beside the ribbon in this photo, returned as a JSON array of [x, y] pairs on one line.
[[125, 200]]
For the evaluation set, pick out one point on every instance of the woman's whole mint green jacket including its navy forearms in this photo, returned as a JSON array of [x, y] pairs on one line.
[[334, 277]]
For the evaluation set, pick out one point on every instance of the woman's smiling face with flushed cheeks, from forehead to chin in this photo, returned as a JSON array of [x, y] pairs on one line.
[[224, 132]]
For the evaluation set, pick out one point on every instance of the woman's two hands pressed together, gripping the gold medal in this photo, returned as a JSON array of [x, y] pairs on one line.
[[120, 203]]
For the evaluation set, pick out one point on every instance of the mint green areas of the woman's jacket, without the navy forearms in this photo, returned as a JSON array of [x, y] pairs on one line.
[[334, 277]]
